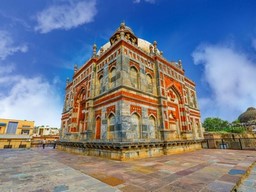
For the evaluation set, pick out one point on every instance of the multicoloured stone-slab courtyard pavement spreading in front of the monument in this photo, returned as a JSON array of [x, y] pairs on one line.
[[207, 170]]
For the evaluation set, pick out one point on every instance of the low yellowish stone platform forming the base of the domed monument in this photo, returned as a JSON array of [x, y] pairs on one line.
[[124, 151]]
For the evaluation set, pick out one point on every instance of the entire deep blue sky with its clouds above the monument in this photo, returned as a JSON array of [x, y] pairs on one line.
[[41, 41]]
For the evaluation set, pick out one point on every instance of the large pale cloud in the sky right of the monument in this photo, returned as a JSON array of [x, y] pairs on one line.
[[231, 78]]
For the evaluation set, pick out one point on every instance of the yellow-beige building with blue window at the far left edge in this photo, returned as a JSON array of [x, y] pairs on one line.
[[15, 133]]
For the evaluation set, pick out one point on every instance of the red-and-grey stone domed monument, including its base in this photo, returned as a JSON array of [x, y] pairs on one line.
[[128, 93]]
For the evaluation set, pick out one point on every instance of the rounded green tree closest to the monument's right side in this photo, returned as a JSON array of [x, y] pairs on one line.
[[215, 124]]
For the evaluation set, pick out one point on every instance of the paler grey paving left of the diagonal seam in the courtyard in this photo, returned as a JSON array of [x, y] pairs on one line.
[[27, 170]]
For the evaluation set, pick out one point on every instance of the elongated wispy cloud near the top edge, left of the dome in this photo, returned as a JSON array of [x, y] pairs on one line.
[[66, 16]]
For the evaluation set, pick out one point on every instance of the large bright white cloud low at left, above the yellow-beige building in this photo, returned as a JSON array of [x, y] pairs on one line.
[[30, 98]]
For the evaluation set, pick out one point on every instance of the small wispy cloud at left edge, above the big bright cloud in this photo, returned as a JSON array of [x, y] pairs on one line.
[[7, 46]]
